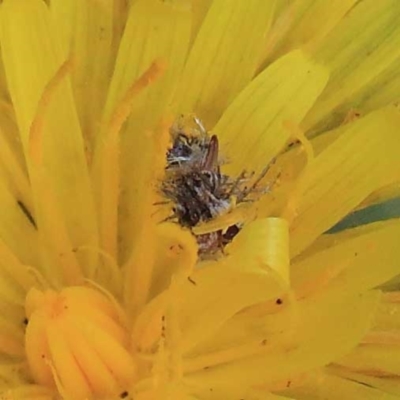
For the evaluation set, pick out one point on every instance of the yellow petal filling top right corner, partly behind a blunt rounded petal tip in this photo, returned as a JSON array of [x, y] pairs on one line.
[[361, 47]]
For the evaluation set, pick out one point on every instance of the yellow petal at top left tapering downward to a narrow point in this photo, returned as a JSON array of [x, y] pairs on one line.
[[86, 32]]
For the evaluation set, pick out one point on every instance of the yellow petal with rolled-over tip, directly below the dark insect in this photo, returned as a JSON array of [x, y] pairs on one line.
[[252, 273]]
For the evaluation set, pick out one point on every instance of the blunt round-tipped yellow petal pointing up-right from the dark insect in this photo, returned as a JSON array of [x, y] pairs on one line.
[[252, 129]]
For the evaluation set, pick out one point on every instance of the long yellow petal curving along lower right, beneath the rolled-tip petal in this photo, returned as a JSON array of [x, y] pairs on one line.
[[310, 348]]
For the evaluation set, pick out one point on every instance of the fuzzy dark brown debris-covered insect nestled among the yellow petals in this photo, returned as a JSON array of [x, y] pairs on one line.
[[197, 188]]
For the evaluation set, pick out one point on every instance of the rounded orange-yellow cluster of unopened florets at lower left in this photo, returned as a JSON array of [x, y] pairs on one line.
[[76, 343]]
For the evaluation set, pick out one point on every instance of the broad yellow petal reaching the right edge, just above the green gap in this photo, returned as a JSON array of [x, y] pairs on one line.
[[335, 182]]
